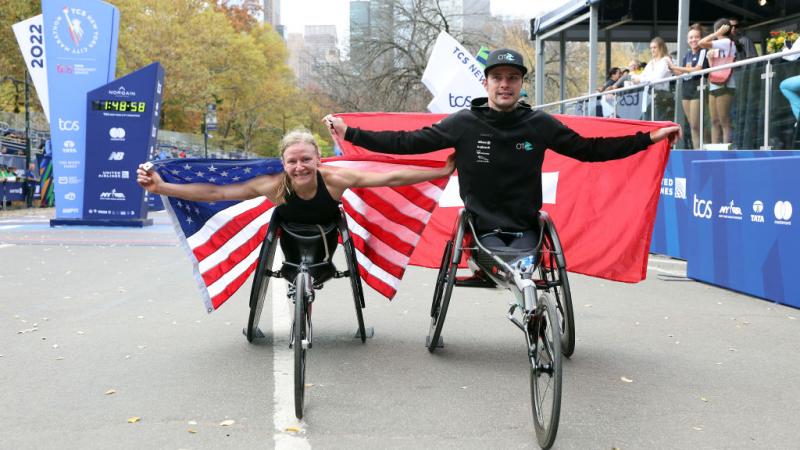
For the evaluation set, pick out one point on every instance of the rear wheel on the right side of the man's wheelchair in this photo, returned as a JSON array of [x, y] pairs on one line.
[[556, 276]]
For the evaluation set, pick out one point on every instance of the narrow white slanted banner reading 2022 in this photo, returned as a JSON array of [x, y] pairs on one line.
[[30, 37]]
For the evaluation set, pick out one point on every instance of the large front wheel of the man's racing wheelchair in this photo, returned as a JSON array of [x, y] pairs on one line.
[[544, 350]]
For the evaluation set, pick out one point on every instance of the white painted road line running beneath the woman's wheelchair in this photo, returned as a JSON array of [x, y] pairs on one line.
[[283, 371]]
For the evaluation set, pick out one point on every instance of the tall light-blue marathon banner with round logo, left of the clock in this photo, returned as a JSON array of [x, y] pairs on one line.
[[80, 37]]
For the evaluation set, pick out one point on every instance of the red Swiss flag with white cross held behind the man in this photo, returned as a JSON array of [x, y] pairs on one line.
[[604, 212]]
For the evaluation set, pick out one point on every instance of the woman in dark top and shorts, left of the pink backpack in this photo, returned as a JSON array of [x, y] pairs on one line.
[[694, 60]]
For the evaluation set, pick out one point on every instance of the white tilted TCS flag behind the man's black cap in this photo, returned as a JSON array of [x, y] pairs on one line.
[[453, 76]]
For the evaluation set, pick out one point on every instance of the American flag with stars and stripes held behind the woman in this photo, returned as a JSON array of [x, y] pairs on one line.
[[223, 239]]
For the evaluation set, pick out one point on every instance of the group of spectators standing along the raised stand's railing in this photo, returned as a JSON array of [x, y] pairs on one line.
[[725, 44]]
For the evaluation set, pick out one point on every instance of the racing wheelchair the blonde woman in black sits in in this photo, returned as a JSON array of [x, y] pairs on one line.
[[308, 252]]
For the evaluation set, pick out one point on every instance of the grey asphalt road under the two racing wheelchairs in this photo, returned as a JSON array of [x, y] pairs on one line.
[[101, 326]]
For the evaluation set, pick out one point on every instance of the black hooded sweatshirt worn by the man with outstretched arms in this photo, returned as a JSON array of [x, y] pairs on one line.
[[499, 157]]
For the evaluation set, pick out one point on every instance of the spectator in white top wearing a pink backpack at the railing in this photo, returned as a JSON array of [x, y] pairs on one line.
[[720, 95]]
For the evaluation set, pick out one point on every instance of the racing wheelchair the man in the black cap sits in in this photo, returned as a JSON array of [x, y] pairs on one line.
[[542, 308]]
